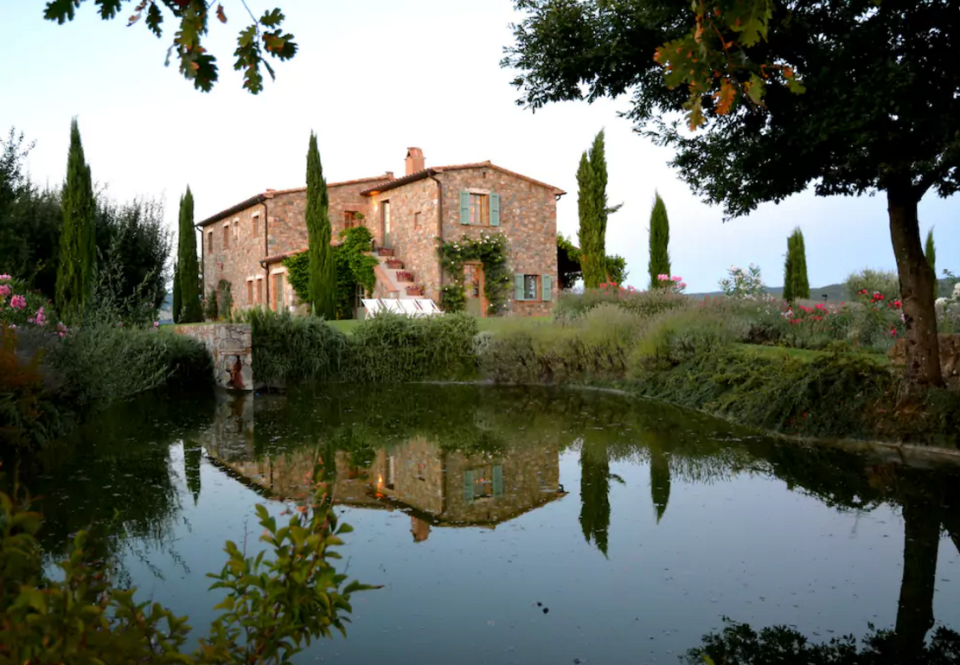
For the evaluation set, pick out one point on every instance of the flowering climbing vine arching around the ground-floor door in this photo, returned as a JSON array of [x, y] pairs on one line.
[[491, 251]]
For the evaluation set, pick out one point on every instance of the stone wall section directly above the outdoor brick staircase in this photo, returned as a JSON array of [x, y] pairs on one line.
[[413, 231]]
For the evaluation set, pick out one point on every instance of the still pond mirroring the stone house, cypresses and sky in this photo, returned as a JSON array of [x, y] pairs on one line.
[[512, 525]]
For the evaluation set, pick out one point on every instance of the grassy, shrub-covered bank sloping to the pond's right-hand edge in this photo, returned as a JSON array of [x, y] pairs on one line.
[[705, 356]]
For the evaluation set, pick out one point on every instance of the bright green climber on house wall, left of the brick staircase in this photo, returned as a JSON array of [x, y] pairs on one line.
[[354, 267]]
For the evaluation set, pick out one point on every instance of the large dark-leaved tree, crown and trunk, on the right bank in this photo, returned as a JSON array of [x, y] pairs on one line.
[[881, 111]]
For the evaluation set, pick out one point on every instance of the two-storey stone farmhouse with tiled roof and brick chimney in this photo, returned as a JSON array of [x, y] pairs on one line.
[[246, 243]]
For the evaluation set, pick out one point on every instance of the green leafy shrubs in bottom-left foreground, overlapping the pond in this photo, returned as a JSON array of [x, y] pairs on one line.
[[274, 607]]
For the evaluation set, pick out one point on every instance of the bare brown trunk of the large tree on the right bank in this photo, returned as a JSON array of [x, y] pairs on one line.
[[916, 294]]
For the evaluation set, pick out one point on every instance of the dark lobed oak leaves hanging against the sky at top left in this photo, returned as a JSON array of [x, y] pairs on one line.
[[264, 36]]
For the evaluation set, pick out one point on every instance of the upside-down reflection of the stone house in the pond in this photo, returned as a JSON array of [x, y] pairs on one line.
[[436, 487]]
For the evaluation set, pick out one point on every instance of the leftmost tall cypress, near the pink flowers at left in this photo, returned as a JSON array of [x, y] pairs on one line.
[[77, 262]]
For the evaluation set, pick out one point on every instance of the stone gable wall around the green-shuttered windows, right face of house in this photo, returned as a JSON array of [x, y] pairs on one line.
[[528, 217]]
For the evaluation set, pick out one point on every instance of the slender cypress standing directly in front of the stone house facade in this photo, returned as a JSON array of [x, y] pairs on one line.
[[323, 267]]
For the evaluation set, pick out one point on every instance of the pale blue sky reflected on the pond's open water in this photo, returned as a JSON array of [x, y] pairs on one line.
[[747, 548]]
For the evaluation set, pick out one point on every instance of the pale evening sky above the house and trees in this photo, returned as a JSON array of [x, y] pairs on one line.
[[373, 78]]
